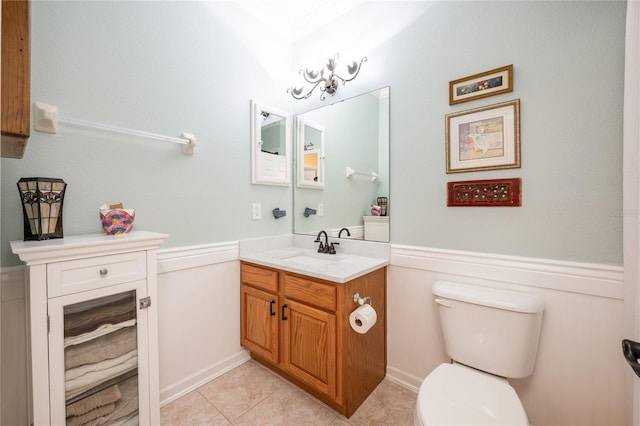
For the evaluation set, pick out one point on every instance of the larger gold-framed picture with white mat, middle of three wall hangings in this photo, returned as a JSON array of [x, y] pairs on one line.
[[485, 138]]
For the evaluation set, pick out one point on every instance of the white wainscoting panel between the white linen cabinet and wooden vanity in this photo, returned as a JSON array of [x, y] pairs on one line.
[[199, 316]]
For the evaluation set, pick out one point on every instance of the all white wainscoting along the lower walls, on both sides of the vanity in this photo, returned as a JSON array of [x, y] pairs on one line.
[[579, 372]]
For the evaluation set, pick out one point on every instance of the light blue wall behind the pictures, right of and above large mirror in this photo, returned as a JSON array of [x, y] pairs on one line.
[[568, 62]]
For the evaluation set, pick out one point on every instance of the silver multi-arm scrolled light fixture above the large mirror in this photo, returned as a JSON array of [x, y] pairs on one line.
[[326, 79]]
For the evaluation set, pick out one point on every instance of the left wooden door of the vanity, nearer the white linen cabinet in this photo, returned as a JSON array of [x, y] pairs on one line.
[[259, 322]]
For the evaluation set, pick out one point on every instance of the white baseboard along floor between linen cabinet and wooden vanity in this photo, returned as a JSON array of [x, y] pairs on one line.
[[198, 379]]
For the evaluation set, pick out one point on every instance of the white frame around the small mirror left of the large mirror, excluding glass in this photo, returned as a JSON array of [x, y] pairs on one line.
[[257, 178]]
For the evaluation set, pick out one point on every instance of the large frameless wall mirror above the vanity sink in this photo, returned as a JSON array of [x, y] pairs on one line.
[[354, 158]]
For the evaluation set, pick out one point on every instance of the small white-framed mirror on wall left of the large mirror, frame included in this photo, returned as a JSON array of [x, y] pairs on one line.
[[270, 145]]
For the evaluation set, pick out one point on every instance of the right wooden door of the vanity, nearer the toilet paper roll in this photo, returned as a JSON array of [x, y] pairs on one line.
[[310, 346]]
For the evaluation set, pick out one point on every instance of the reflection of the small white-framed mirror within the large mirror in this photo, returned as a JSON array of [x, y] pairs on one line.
[[311, 160]]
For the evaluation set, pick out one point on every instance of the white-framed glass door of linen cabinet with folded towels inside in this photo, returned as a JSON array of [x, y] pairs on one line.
[[96, 341]]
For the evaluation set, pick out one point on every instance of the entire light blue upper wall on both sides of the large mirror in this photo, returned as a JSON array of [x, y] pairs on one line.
[[171, 67]]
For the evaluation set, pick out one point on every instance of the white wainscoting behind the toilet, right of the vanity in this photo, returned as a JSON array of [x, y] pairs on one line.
[[579, 373]]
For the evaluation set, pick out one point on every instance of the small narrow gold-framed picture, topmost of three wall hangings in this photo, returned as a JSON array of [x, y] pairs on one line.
[[488, 83]]
